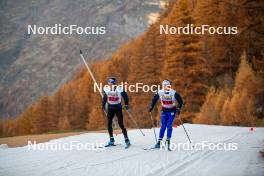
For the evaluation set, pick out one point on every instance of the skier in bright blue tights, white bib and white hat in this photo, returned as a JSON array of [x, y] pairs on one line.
[[168, 99]]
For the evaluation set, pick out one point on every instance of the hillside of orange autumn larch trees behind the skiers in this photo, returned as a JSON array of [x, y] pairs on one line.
[[201, 67]]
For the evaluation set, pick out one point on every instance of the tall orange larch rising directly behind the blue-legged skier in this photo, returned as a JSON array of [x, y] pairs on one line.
[[185, 64]]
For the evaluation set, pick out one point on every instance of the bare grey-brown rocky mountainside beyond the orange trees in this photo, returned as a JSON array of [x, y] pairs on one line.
[[32, 65]]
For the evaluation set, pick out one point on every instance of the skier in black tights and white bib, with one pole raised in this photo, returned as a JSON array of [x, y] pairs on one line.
[[112, 102]]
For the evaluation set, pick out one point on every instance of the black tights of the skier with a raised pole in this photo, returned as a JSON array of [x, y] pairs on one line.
[[110, 115]]
